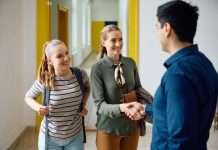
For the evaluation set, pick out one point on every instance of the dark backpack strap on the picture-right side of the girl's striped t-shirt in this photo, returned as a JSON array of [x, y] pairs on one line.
[[78, 75]]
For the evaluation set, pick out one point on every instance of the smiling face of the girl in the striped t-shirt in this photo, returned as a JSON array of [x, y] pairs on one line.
[[60, 58]]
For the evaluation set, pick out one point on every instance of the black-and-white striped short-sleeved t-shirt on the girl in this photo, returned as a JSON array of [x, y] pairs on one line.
[[64, 120]]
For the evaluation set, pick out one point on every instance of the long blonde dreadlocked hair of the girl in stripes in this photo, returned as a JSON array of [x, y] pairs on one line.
[[46, 72]]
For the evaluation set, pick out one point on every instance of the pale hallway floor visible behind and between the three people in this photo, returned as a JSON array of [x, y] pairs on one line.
[[28, 140]]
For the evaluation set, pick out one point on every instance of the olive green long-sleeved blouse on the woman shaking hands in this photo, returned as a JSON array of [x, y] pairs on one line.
[[107, 95]]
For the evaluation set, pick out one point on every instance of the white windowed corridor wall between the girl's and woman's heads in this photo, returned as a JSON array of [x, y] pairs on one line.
[[81, 46]]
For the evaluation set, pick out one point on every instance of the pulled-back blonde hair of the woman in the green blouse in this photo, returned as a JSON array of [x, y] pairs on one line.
[[104, 32]]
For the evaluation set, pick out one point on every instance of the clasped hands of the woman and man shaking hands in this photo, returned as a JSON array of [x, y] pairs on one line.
[[133, 110]]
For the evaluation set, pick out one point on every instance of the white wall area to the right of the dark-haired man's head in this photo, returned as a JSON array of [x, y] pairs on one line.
[[207, 32]]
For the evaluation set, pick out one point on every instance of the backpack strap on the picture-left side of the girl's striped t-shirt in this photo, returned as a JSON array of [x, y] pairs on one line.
[[46, 103]]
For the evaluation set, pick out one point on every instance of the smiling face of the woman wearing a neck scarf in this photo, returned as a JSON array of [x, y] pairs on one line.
[[113, 44]]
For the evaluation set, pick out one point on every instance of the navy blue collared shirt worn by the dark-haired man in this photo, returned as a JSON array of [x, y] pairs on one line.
[[185, 102]]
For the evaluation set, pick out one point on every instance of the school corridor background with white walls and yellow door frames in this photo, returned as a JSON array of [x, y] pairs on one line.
[[25, 26]]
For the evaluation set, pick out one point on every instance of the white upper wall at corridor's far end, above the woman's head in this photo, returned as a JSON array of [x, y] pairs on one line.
[[105, 10]]
